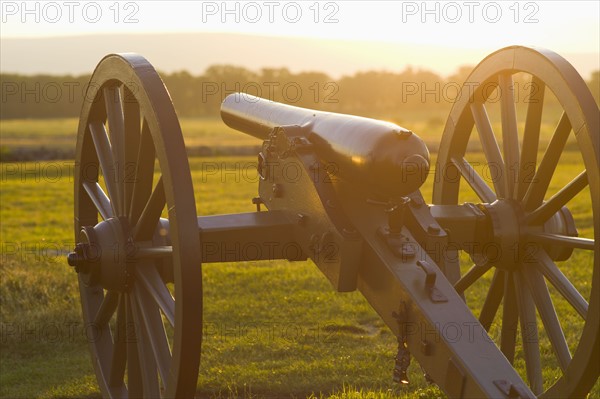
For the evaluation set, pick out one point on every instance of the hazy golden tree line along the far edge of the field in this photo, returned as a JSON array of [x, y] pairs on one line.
[[372, 93]]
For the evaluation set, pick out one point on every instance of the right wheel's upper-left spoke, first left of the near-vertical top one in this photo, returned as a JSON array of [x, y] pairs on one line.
[[489, 144]]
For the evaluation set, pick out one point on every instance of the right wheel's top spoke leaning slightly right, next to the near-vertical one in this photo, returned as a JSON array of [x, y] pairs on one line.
[[531, 135]]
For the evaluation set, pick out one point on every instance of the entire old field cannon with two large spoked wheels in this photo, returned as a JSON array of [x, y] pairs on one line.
[[346, 190]]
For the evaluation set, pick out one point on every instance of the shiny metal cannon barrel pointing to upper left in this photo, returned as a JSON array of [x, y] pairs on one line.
[[388, 159]]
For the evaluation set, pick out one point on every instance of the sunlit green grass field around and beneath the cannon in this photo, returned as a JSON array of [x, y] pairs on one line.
[[272, 329]]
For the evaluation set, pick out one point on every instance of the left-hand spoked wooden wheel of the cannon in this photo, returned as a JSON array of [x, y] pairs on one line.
[[131, 168]]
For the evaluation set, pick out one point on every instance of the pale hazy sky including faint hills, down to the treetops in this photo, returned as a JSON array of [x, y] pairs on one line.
[[436, 35]]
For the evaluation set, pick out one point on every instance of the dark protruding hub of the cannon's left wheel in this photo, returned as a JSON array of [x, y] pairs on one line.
[[104, 254]]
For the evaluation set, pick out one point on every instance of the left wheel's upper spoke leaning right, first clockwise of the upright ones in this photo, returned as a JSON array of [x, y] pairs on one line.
[[144, 174]]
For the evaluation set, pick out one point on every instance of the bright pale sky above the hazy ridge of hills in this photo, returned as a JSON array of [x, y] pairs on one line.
[[562, 25]]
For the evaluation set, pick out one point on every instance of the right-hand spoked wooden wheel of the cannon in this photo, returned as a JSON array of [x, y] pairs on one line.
[[534, 211]]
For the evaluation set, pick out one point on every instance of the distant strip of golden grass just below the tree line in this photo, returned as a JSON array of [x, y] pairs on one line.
[[39, 139]]
